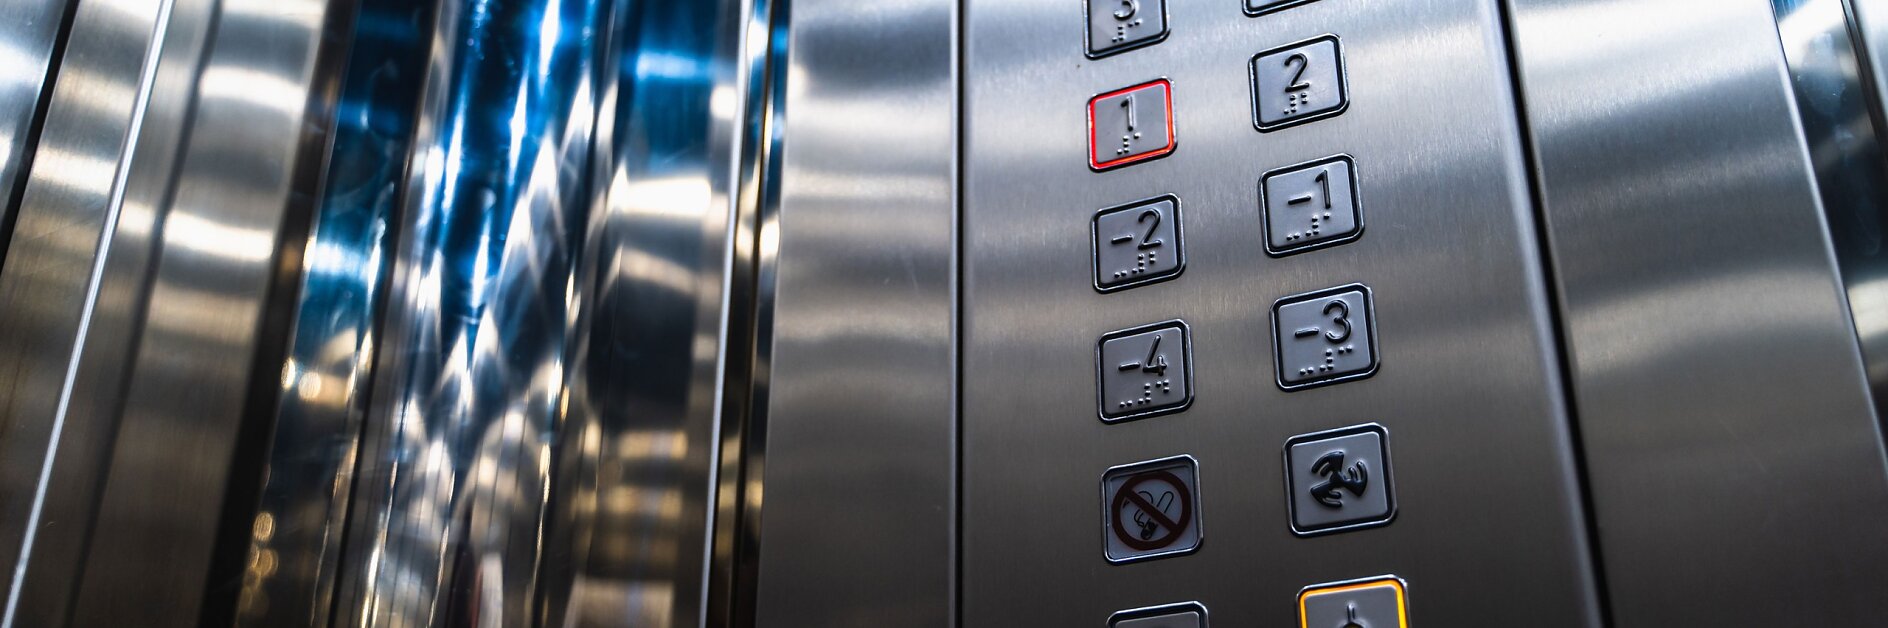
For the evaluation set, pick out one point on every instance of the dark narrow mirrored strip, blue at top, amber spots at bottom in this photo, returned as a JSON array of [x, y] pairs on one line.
[[326, 378]]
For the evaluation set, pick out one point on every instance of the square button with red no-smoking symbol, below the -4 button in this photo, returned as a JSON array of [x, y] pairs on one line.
[[1151, 510]]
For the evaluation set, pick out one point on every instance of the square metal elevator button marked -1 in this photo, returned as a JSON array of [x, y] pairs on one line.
[[1311, 207]]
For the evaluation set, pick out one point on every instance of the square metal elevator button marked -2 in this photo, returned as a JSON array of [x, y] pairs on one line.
[[1138, 244]]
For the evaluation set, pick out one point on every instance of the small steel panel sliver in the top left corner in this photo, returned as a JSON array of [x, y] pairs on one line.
[[29, 31]]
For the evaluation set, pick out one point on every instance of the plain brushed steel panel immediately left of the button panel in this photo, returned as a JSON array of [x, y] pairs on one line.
[[860, 437]]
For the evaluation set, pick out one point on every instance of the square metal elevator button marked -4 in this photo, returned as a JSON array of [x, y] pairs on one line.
[[1147, 371]]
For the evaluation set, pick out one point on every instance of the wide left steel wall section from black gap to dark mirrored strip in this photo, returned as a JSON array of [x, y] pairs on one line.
[[150, 248]]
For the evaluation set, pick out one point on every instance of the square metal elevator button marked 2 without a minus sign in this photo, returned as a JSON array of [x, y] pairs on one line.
[[1298, 84]]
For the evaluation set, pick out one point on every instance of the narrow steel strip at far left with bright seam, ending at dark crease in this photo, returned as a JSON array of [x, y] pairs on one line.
[[73, 291]]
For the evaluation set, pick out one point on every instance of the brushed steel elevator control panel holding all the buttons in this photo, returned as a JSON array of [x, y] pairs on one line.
[[1215, 329]]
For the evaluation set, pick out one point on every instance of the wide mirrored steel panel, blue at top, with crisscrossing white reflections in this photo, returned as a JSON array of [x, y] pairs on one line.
[[473, 357]]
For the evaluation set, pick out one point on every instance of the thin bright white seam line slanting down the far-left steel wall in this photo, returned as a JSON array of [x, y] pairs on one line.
[[148, 74]]
